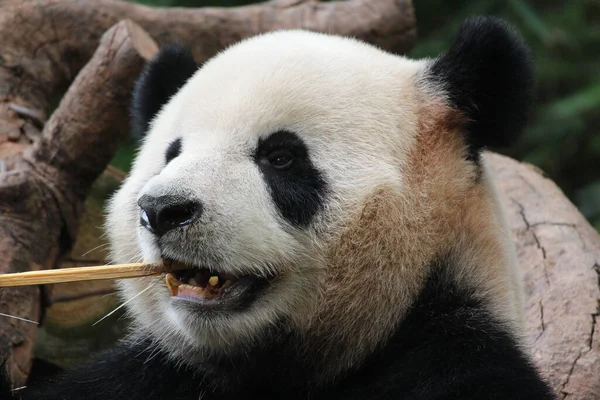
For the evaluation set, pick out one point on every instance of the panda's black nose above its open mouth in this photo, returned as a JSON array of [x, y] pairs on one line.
[[164, 213]]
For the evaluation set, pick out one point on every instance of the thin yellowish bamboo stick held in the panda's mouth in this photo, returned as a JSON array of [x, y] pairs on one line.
[[60, 275]]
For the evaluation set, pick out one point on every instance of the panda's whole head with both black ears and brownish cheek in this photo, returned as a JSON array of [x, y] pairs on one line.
[[307, 182]]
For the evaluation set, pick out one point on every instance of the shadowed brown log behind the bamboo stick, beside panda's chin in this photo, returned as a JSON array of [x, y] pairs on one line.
[[70, 332]]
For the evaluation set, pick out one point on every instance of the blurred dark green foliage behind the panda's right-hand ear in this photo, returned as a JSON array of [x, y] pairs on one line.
[[563, 137]]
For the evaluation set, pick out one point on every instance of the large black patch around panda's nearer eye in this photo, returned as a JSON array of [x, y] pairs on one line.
[[297, 187]]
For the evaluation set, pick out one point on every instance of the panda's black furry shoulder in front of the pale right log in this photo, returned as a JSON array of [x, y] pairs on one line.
[[449, 345]]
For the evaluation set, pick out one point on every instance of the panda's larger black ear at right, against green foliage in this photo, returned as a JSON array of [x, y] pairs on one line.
[[488, 75]]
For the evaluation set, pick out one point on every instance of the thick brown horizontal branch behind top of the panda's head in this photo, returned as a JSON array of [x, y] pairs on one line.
[[46, 42]]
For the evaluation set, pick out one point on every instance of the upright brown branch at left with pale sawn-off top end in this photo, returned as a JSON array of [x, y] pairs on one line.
[[43, 191]]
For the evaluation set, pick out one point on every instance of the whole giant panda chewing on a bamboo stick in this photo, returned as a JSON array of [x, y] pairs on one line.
[[333, 228]]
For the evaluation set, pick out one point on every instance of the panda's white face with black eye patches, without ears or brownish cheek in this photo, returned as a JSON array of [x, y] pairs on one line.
[[249, 173]]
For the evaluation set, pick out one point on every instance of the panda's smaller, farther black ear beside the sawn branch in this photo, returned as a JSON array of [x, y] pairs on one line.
[[161, 78]]
